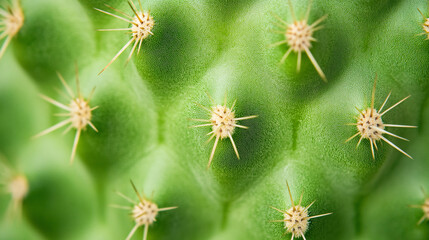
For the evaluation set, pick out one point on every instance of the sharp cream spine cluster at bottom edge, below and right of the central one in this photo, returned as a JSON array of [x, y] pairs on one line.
[[296, 218]]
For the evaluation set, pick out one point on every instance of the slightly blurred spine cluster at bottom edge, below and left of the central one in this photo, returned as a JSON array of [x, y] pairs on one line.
[[143, 212]]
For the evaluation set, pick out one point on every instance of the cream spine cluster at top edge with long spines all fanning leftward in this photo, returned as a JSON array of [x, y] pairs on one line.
[[141, 27]]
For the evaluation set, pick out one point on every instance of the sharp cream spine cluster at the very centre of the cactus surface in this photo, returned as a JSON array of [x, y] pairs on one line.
[[223, 123]]
